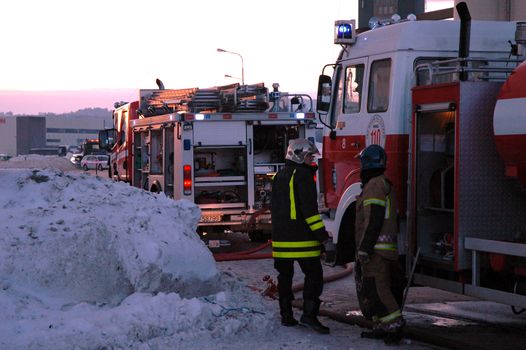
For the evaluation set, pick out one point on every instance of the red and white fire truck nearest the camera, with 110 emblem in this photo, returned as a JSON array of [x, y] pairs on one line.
[[428, 98]]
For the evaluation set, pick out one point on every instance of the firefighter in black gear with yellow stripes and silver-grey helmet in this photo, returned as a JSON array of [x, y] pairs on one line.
[[298, 233]]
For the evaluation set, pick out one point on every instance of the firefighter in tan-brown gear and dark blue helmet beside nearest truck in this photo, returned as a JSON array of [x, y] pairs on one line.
[[379, 279]]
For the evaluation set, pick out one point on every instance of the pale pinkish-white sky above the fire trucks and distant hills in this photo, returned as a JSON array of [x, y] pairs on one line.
[[60, 56]]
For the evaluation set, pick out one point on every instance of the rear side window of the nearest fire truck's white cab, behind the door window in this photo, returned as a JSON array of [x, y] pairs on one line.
[[378, 97]]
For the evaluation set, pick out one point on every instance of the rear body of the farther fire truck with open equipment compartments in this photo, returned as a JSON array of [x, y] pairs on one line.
[[231, 157]]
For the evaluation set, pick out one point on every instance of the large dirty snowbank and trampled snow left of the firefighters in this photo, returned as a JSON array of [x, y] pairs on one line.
[[87, 263]]
